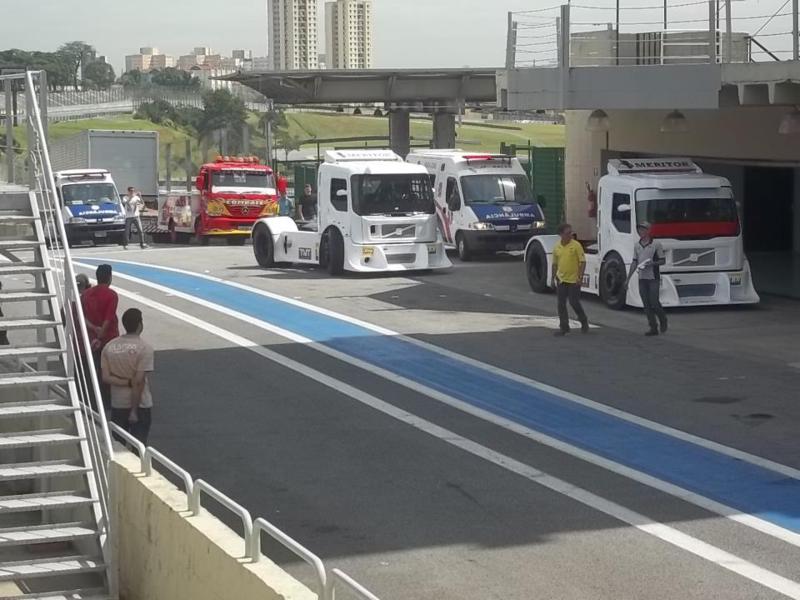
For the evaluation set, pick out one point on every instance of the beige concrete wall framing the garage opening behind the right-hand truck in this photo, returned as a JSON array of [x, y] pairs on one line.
[[742, 135]]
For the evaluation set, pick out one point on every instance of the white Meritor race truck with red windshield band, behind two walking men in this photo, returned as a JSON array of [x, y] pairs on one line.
[[693, 215]]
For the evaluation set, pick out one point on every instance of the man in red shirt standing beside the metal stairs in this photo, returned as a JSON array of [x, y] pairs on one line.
[[100, 311]]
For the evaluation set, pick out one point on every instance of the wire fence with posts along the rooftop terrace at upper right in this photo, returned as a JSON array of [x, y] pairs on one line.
[[621, 32]]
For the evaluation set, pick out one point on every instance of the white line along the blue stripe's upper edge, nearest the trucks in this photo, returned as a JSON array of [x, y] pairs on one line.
[[682, 435]]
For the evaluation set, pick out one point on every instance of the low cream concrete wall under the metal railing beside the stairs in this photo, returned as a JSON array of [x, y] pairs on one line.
[[162, 555]]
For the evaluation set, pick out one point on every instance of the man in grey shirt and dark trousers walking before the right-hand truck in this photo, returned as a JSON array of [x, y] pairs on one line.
[[648, 256]]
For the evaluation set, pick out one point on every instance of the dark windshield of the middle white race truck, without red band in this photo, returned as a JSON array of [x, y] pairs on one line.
[[392, 195]]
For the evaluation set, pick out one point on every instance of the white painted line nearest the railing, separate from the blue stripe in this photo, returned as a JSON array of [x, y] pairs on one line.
[[717, 556]]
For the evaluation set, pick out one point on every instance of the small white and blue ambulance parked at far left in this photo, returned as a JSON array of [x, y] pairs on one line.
[[90, 206]]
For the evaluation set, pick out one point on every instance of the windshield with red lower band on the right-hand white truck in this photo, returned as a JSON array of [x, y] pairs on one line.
[[689, 217]]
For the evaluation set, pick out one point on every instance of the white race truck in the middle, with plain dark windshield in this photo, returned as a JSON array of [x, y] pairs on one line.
[[375, 213]]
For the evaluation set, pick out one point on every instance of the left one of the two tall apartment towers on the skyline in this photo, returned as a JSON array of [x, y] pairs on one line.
[[293, 34]]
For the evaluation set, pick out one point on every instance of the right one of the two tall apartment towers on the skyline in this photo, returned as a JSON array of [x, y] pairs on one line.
[[348, 34]]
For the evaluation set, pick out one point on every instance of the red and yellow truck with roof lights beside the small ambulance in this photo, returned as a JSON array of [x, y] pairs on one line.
[[231, 194]]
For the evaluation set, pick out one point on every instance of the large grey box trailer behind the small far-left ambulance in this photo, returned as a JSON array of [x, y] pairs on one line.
[[131, 157]]
